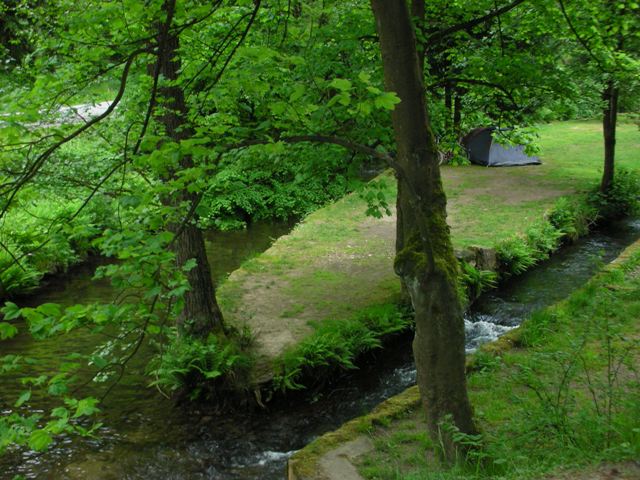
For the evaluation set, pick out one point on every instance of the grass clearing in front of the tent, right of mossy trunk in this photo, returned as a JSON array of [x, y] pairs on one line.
[[489, 205]]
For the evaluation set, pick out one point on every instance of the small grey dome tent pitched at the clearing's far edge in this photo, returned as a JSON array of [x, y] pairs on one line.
[[483, 149]]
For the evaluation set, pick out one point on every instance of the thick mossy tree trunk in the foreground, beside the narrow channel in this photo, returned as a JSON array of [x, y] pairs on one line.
[[426, 262]]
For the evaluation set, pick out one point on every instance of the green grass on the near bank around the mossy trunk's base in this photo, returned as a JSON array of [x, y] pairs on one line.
[[567, 397]]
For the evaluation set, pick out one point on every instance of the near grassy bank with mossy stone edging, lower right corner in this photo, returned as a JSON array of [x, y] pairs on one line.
[[580, 336]]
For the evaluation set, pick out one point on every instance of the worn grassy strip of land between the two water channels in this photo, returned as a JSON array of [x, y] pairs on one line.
[[338, 260]]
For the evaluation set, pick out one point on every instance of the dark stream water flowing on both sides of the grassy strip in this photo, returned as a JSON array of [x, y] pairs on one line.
[[147, 437]]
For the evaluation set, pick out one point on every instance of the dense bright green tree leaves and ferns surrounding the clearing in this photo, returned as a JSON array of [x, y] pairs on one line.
[[221, 114]]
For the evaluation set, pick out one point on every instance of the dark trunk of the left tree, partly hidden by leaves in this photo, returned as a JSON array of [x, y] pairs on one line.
[[201, 314]]
